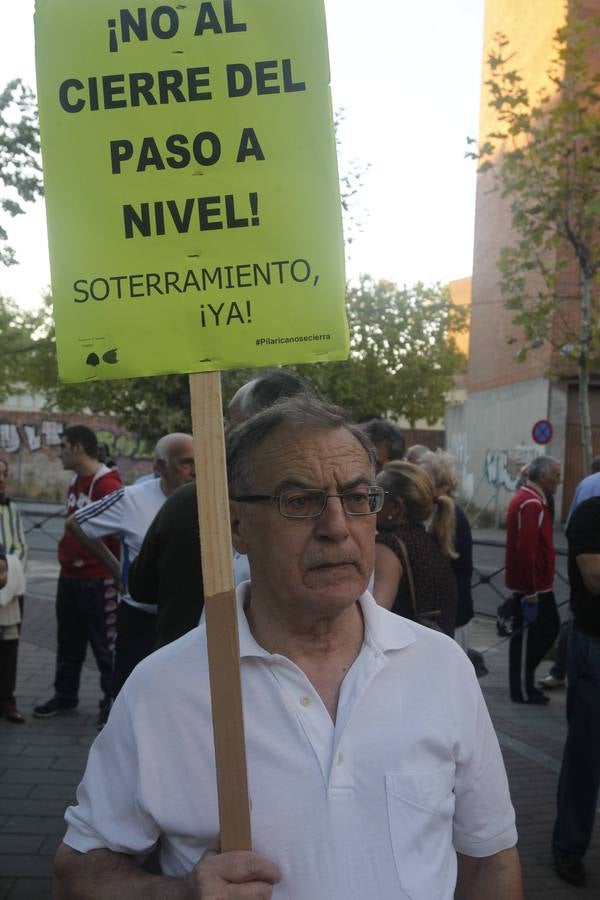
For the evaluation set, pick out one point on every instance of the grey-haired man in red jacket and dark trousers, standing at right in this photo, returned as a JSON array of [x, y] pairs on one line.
[[530, 559]]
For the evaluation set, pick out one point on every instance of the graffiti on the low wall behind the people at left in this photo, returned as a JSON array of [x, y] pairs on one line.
[[47, 433]]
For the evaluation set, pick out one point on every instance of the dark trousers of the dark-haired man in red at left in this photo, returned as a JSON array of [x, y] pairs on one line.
[[82, 614]]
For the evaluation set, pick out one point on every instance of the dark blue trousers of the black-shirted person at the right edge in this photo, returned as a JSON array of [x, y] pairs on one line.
[[579, 782]]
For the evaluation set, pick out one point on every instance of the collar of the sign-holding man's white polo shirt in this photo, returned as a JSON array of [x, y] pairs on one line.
[[383, 630]]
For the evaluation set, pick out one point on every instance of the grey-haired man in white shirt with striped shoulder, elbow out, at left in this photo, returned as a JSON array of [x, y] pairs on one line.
[[128, 513]]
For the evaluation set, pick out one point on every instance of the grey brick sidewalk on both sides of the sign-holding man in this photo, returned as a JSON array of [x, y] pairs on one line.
[[41, 762]]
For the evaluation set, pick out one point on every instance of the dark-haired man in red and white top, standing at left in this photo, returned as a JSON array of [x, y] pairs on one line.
[[86, 597]]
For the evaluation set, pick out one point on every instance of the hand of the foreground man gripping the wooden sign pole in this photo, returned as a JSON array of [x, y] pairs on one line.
[[236, 875]]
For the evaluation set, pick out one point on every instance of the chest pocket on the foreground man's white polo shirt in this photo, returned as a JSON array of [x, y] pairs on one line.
[[420, 814]]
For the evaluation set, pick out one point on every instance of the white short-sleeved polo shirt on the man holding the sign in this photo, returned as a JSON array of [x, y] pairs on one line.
[[371, 806]]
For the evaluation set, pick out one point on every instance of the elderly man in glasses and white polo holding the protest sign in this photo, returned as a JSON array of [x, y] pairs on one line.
[[374, 771]]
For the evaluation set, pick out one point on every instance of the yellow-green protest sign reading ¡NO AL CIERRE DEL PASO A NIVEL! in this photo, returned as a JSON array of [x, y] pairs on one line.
[[191, 185]]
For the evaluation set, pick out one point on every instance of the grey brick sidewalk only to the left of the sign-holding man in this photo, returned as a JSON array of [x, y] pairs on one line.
[[41, 762]]
